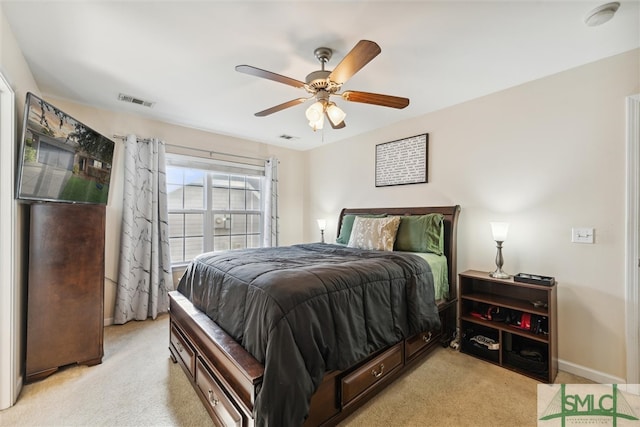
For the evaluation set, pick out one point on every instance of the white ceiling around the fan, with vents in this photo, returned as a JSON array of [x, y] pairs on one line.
[[181, 55]]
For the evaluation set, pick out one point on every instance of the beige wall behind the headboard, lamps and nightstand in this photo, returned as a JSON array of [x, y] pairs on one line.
[[545, 156]]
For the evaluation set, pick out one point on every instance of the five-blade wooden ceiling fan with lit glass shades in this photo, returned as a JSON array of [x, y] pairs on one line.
[[322, 84]]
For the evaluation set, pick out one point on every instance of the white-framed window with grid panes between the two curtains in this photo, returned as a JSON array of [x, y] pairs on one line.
[[213, 206]]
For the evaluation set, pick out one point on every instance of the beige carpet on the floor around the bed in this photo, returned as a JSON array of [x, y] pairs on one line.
[[138, 385]]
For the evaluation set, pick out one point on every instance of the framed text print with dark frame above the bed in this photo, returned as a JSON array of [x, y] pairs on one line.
[[403, 161]]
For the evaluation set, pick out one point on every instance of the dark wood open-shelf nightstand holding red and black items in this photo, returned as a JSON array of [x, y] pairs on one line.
[[501, 311]]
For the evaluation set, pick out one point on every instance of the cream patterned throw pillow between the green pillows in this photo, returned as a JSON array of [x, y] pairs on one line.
[[374, 233]]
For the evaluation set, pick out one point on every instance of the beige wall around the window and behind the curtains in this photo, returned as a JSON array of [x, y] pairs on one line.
[[109, 123]]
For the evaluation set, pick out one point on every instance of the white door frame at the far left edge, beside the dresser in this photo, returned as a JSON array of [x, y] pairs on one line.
[[10, 381]]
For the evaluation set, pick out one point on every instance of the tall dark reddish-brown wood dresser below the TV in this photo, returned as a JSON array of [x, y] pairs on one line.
[[65, 297]]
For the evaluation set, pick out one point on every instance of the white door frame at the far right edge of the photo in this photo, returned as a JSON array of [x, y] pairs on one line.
[[633, 240]]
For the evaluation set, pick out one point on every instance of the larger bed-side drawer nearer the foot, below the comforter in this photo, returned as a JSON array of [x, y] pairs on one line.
[[371, 373]]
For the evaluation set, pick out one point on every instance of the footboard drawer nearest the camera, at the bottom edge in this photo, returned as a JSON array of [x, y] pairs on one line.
[[218, 404]]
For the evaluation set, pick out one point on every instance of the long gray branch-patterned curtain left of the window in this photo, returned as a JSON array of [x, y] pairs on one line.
[[144, 278]]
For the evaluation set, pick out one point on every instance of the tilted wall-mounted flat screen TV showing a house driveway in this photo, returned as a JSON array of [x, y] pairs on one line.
[[61, 160]]
